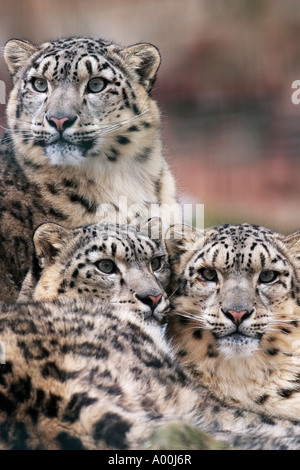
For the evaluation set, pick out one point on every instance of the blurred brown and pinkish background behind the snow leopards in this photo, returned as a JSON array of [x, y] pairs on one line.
[[230, 130]]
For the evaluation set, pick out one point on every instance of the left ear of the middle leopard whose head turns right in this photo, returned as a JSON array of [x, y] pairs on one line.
[[48, 240]]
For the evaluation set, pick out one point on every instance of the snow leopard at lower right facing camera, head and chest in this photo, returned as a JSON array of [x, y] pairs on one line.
[[235, 315]]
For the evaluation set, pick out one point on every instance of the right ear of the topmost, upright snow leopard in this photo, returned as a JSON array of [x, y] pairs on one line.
[[145, 60]]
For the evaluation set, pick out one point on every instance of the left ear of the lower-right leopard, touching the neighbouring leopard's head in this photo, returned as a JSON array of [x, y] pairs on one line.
[[181, 238]]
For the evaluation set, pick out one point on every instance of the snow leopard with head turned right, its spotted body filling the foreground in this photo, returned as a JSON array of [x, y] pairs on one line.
[[84, 374]]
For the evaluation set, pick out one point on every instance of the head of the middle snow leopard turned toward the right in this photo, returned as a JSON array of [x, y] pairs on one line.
[[68, 263]]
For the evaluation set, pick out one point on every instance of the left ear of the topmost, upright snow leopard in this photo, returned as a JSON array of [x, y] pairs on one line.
[[16, 53]]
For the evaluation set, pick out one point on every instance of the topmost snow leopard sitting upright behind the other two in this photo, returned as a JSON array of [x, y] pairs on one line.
[[83, 142]]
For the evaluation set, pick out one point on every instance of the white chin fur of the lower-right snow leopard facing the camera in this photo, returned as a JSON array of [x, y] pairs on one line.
[[234, 346]]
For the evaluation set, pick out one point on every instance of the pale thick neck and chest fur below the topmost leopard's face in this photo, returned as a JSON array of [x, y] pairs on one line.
[[130, 180]]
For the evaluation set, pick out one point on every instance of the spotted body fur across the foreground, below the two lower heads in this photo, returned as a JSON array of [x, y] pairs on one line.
[[85, 375]]
